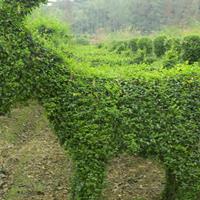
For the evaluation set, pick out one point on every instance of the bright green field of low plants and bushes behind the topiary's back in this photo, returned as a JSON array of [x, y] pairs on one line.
[[125, 60]]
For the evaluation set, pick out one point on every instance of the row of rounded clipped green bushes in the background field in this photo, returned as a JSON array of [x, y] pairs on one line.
[[187, 49]]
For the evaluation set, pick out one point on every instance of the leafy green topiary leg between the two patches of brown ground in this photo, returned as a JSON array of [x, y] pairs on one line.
[[88, 179]]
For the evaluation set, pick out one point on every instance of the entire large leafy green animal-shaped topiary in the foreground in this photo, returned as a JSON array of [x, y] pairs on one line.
[[97, 118]]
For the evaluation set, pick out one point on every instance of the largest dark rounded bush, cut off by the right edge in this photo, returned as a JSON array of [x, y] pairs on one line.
[[191, 49]]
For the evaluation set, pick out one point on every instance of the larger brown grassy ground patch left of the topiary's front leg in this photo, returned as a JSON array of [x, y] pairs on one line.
[[33, 164]]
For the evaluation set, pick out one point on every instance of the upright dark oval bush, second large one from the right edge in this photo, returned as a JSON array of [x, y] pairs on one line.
[[161, 45]]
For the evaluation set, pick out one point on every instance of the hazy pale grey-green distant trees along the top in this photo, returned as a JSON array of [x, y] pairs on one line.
[[145, 16]]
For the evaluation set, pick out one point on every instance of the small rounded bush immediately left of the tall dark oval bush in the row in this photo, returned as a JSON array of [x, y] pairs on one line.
[[146, 45]]
